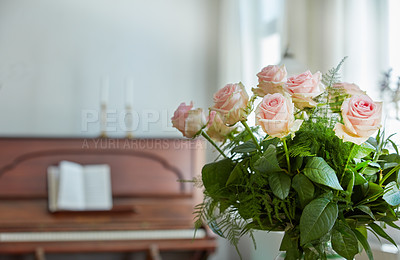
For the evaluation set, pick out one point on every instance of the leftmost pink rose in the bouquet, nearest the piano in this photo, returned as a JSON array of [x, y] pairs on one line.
[[187, 120]]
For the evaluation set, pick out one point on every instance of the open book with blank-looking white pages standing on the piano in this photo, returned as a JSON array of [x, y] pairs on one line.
[[72, 186]]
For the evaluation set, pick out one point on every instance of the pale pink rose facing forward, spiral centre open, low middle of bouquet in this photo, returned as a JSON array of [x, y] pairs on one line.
[[275, 115]]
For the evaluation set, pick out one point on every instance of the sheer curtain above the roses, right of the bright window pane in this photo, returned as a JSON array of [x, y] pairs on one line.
[[321, 32]]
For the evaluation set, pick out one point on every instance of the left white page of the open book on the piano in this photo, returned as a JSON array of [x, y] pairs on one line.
[[71, 187]]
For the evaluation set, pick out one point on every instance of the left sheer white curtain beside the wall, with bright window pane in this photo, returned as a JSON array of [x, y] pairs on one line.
[[250, 38]]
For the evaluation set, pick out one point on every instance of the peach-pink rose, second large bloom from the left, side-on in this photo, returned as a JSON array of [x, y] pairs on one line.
[[231, 102]]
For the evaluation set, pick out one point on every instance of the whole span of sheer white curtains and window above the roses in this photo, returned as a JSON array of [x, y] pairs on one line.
[[317, 33]]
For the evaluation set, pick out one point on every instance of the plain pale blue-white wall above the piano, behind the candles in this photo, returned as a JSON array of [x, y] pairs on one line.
[[53, 55]]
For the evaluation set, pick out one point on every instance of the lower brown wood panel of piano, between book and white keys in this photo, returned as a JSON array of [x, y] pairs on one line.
[[25, 215]]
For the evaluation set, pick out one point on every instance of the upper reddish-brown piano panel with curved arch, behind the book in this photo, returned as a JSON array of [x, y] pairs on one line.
[[135, 166]]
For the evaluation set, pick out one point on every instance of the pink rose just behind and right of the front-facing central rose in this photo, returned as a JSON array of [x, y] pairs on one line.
[[304, 88]]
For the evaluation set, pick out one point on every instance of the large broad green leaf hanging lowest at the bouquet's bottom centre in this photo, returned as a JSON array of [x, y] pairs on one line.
[[317, 219]]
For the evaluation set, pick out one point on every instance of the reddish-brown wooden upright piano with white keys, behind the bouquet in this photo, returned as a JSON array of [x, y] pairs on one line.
[[152, 211]]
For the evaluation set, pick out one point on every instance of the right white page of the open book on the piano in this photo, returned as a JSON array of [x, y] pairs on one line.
[[97, 187]]
